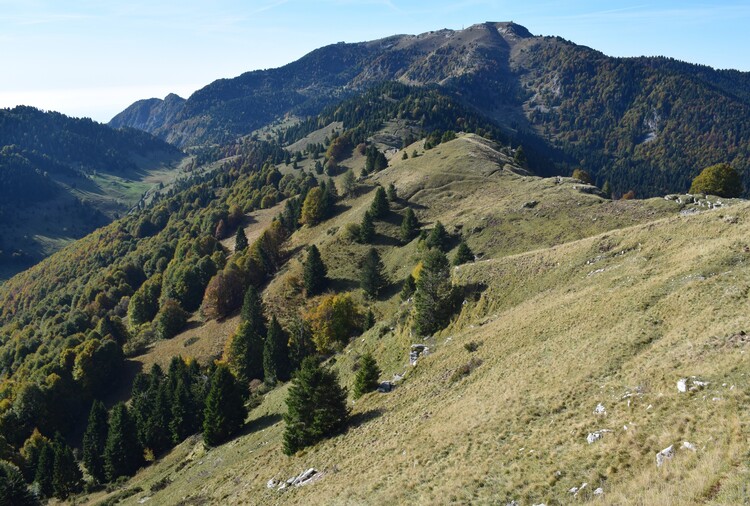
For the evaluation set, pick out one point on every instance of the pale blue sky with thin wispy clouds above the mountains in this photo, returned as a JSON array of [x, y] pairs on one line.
[[95, 57]]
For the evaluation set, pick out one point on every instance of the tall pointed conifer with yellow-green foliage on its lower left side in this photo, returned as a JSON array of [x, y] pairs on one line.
[[245, 349]]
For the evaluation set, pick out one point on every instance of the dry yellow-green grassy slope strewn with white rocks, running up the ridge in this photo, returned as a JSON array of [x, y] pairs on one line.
[[571, 316]]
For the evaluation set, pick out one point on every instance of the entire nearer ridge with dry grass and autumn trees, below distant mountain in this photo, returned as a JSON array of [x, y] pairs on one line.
[[570, 300]]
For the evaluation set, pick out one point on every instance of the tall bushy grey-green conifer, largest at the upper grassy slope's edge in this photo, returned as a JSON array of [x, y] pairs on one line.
[[433, 297]]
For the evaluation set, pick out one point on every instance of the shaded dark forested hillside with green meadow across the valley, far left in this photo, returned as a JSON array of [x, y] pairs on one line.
[[61, 178]]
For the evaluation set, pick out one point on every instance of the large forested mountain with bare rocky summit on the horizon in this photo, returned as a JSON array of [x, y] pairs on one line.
[[644, 124]]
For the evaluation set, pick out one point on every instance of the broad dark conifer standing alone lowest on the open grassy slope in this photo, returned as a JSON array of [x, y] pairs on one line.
[[316, 407]]
